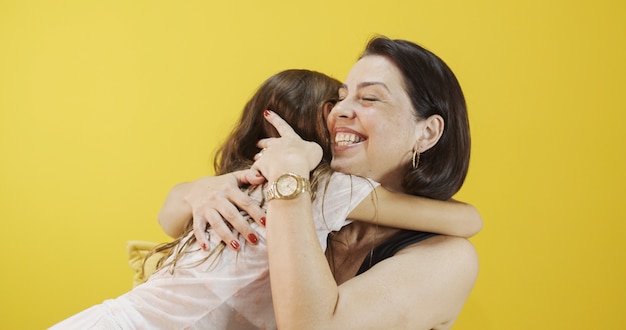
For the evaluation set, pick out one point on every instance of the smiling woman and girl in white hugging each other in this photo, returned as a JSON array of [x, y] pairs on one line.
[[337, 201]]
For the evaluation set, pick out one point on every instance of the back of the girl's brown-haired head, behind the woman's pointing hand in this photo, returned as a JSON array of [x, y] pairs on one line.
[[301, 97]]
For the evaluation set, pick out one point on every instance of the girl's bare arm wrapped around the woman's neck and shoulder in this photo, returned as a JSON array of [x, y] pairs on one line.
[[404, 211]]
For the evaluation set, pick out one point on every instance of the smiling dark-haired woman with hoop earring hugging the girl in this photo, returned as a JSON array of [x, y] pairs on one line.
[[400, 103]]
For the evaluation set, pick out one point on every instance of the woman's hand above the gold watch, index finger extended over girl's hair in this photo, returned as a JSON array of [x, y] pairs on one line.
[[289, 153]]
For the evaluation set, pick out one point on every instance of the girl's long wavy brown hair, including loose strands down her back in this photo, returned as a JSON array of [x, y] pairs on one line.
[[299, 97]]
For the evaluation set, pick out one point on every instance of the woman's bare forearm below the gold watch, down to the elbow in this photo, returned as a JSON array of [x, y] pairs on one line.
[[303, 288]]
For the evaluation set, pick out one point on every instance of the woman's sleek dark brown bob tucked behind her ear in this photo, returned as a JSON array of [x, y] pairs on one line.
[[433, 90]]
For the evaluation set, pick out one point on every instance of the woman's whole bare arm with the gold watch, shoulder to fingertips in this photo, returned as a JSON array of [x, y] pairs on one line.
[[421, 287]]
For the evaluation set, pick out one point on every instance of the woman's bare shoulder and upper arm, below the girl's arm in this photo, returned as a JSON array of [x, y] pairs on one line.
[[434, 276]]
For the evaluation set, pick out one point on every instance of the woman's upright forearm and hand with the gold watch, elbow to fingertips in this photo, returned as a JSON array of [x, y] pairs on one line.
[[303, 288]]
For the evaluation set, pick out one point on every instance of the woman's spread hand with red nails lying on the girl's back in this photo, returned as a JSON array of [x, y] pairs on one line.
[[214, 200]]
